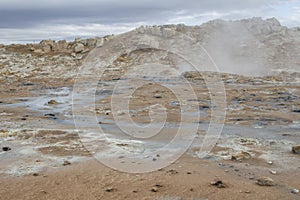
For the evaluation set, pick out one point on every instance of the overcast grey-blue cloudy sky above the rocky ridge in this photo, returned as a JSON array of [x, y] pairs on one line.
[[33, 20]]
